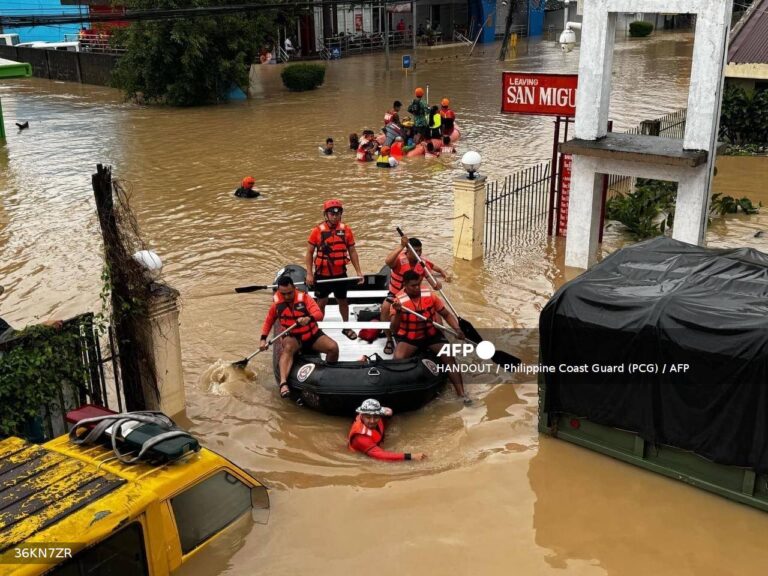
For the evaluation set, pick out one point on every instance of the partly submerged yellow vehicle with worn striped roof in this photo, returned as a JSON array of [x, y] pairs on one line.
[[68, 509]]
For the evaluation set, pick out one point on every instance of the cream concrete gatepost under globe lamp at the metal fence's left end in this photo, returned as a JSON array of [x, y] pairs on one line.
[[469, 217]]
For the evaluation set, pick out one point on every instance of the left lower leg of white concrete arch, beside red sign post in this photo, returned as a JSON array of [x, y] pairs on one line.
[[583, 214]]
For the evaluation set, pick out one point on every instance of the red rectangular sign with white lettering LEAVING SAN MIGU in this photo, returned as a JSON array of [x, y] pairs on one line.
[[539, 94]]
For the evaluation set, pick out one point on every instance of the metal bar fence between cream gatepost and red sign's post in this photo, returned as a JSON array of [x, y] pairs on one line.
[[516, 204]]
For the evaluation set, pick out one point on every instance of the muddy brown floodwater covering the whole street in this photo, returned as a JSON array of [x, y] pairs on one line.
[[494, 497]]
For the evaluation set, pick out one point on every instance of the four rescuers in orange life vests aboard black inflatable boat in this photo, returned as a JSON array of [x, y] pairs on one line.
[[330, 248]]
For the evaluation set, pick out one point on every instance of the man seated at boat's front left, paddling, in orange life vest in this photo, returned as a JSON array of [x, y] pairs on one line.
[[289, 306]]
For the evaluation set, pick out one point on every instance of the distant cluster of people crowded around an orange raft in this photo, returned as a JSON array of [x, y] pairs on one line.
[[430, 131]]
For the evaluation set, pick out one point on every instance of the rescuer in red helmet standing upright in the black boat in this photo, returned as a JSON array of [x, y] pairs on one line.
[[331, 246]]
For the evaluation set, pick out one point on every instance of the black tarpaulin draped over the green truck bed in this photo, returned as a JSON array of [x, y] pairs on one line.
[[659, 304]]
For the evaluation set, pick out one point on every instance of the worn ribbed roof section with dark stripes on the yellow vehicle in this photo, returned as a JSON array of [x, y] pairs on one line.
[[39, 487]]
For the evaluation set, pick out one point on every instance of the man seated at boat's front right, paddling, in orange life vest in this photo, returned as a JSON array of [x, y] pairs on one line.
[[414, 334]]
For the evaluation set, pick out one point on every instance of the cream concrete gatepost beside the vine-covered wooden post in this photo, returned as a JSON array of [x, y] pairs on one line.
[[163, 331]]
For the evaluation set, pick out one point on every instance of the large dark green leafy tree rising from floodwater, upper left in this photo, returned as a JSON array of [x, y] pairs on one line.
[[191, 61]]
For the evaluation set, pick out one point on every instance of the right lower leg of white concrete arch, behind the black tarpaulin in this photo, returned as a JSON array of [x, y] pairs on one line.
[[691, 206]]
